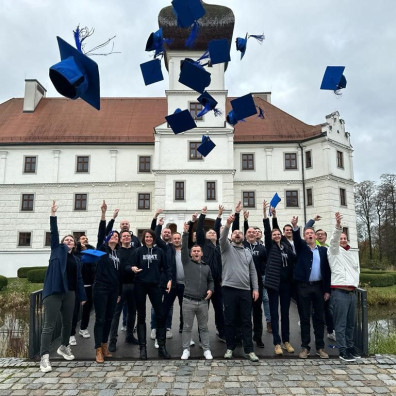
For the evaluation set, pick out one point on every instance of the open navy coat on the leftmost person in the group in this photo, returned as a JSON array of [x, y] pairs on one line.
[[55, 281]]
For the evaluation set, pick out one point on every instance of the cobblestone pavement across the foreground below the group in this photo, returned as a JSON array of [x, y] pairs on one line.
[[374, 375]]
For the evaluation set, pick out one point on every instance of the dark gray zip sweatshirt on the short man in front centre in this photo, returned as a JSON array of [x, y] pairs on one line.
[[197, 276]]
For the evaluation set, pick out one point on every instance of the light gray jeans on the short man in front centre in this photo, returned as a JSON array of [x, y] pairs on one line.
[[199, 309]]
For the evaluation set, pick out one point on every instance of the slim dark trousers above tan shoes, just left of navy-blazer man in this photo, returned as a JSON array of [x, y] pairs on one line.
[[280, 297]]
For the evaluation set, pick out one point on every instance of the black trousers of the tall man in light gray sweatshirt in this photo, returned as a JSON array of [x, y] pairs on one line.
[[238, 312]]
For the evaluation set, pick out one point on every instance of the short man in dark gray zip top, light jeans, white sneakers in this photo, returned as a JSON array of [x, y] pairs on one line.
[[198, 289]]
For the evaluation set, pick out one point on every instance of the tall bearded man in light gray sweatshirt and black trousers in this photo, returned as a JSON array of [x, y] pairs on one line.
[[239, 285]]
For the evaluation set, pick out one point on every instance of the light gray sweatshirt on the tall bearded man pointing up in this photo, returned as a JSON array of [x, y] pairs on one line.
[[238, 266]]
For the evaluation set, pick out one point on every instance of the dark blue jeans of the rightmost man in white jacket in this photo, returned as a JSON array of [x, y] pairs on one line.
[[343, 306]]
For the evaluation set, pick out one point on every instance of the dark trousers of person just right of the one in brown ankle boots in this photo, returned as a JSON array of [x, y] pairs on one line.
[[128, 297]]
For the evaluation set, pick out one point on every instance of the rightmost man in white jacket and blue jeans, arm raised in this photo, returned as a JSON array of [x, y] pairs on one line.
[[345, 271]]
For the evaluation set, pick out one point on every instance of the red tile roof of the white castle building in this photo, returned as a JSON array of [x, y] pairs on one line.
[[127, 120]]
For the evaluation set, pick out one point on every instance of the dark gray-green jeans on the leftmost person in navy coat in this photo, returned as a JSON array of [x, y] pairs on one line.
[[53, 304]]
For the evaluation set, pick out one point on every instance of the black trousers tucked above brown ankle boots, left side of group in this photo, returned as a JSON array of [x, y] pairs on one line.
[[105, 300]]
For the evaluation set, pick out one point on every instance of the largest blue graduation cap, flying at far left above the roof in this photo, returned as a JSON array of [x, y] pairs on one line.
[[76, 75]]
